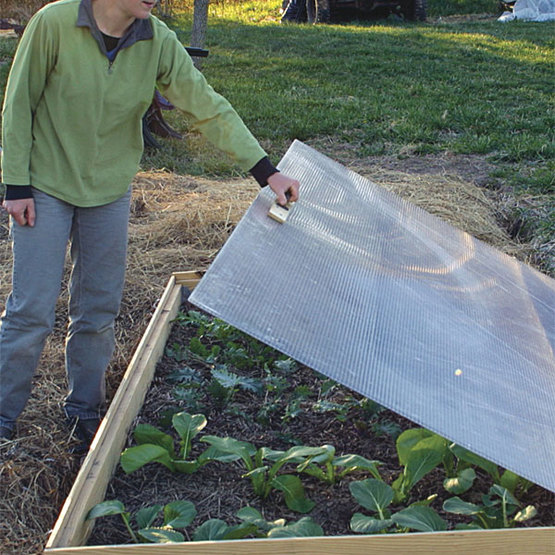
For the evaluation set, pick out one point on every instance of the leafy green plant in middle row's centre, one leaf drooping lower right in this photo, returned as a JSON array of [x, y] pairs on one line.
[[264, 478]]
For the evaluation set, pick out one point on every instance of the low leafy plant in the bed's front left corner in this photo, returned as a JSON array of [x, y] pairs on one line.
[[177, 514]]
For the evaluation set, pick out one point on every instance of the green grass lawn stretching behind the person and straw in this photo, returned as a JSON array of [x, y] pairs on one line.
[[468, 85]]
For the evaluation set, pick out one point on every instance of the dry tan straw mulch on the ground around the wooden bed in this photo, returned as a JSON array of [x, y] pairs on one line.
[[177, 223]]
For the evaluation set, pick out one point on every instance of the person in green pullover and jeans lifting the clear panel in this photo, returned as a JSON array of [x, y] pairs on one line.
[[82, 77]]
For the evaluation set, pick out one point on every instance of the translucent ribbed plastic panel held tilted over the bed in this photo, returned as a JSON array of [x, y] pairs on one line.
[[399, 306]]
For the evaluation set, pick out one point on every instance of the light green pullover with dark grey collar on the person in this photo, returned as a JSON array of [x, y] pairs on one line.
[[72, 120]]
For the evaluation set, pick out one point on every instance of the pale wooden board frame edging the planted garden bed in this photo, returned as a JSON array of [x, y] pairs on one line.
[[71, 530]]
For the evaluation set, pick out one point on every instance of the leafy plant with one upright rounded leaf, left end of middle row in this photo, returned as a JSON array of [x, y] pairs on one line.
[[156, 446]]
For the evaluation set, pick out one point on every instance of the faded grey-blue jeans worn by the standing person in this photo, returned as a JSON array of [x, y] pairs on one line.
[[98, 237]]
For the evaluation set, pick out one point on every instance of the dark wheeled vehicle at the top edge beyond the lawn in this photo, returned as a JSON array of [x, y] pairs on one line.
[[322, 11]]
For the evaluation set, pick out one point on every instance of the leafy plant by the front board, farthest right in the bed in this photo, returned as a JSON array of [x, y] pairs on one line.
[[499, 509]]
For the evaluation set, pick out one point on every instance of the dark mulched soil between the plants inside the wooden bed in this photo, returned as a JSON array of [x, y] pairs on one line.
[[218, 490]]
